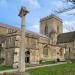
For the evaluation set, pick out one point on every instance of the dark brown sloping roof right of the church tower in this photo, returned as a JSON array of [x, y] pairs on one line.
[[66, 37]]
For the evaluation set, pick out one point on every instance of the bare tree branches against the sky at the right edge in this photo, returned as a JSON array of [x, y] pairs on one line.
[[69, 7]]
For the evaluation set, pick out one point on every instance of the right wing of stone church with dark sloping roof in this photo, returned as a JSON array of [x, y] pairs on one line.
[[67, 40]]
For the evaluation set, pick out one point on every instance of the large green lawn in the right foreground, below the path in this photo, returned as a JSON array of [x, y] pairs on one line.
[[64, 69]]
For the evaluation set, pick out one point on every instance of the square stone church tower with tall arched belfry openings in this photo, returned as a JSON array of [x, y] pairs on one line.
[[51, 26]]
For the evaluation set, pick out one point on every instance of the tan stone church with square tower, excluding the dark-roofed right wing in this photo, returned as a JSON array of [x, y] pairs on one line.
[[39, 46]]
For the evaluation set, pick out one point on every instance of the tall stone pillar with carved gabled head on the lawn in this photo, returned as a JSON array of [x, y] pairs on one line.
[[22, 14]]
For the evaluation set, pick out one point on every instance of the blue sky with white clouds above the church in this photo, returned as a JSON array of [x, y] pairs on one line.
[[9, 10]]
